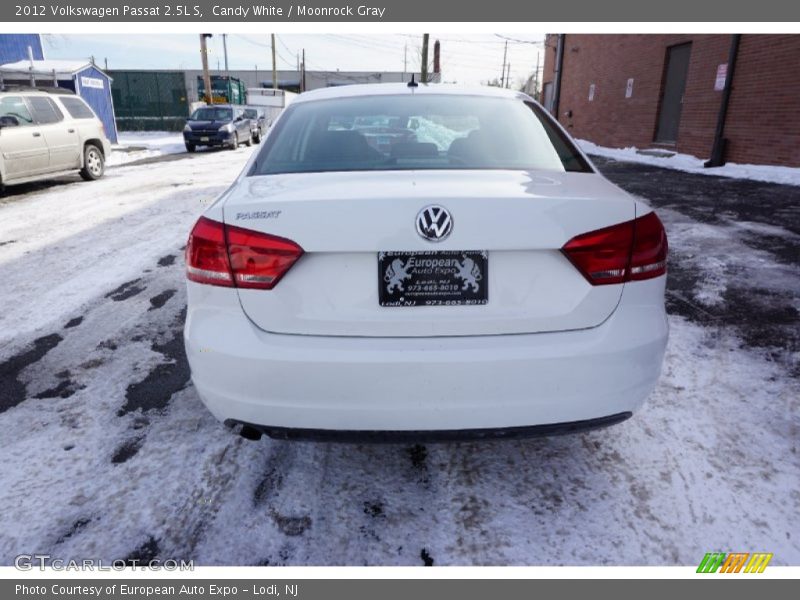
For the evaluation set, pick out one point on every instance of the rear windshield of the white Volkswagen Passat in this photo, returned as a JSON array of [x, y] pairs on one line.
[[416, 132]]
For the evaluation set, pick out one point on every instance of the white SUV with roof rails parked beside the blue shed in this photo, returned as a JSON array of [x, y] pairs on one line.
[[49, 132]]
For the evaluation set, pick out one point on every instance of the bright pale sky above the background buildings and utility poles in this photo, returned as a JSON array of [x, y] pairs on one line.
[[467, 58]]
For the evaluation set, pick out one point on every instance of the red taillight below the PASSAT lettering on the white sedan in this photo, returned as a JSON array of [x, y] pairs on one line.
[[228, 256]]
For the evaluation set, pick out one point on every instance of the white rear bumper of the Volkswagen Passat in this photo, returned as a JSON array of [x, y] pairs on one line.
[[419, 386]]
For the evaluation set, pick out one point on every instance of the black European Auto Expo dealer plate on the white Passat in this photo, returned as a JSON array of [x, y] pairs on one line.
[[433, 278]]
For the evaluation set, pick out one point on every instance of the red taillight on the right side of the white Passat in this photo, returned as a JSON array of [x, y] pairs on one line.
[[633, 250]]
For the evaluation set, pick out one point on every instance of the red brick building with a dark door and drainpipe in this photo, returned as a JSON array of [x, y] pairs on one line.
[[667, 91]]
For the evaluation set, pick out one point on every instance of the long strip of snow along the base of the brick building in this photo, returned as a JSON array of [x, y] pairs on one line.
[[692, 164]]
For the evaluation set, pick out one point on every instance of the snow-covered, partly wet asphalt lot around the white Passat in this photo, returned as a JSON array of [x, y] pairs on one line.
[[108, 452]]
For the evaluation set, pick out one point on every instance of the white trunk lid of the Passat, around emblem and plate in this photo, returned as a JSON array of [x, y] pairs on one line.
[[347, 222]]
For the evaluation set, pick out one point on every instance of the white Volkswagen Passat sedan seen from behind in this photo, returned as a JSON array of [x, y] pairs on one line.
[[423, 262]]
